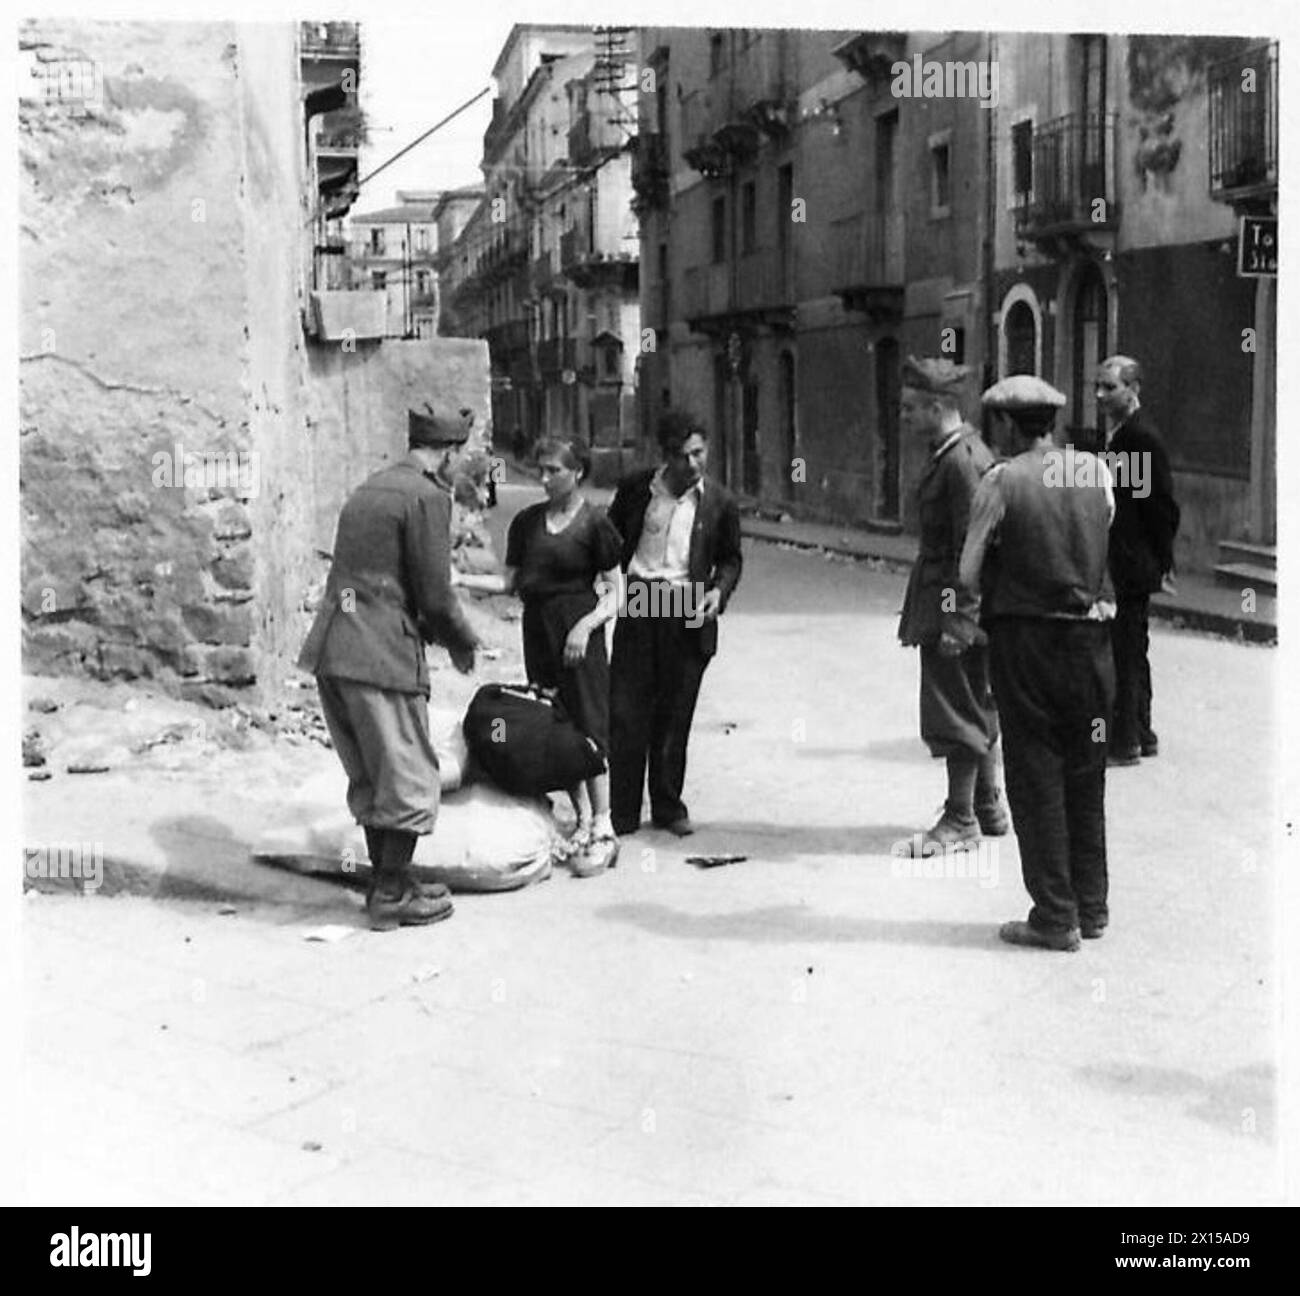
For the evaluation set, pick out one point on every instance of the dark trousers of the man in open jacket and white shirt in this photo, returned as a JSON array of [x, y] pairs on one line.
[[655, 682]]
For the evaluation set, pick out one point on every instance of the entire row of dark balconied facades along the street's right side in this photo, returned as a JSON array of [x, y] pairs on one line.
[[809, 218]]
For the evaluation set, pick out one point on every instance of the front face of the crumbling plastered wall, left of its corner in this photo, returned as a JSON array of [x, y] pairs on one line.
[[133, 336]]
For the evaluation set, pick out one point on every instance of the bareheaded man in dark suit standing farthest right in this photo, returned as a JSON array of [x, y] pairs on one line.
[[1142, 551]]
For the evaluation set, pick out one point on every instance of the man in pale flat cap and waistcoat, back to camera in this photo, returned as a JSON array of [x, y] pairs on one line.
[[1037, 554]]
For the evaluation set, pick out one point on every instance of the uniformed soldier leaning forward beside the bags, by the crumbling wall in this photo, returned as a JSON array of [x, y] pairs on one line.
[[389, 593]]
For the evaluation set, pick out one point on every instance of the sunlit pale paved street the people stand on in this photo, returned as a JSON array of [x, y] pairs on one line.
[[803, 1028]]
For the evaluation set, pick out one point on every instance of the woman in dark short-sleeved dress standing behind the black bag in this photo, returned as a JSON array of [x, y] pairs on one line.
[[562, 558]]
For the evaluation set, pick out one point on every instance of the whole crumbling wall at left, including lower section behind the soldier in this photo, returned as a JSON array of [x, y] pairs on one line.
[[185, 450]]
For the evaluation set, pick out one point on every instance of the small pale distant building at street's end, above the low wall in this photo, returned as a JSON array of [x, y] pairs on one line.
[[395, 252]]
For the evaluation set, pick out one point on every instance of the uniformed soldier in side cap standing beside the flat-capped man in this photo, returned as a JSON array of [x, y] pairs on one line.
[[959, 721]]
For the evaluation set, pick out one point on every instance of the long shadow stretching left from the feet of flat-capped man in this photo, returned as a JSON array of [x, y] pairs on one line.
[[796, 925]]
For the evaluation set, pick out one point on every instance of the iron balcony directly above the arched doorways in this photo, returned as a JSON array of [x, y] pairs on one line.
[[1074, 177]]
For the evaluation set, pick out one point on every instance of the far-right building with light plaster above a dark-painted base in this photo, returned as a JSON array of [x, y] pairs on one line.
[[1123, 167]]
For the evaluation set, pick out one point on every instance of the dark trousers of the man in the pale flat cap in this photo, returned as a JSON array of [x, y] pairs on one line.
[[1055, 687]]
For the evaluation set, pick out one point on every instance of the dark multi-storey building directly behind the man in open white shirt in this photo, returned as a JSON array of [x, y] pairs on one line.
[[803, 232]]
